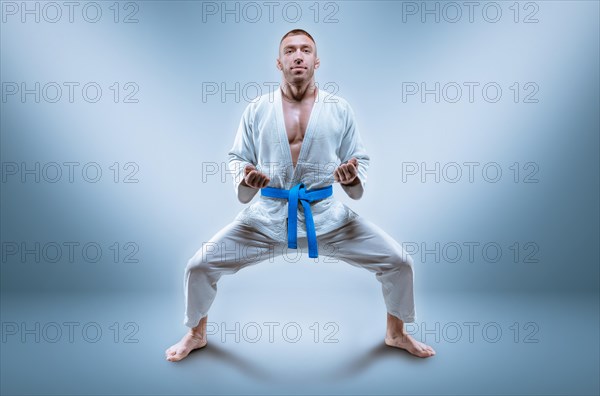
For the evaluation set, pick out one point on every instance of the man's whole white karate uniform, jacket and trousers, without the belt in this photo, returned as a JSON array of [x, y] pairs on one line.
[[331, 138]]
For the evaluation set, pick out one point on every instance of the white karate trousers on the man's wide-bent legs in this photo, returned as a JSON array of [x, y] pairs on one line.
[[359, 242]]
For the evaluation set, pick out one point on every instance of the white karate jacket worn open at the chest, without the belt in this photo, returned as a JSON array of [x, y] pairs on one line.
[[331, 138]]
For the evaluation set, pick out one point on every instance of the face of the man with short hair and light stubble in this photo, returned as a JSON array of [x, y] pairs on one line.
[[297, 59]]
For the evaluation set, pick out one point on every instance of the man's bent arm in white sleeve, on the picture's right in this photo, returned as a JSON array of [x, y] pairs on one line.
[[352, 152]]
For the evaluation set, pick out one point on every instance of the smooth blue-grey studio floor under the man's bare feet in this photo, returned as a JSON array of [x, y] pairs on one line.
[[555, 350]]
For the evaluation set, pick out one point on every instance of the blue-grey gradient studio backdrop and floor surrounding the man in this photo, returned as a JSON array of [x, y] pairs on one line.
[[367, 54]]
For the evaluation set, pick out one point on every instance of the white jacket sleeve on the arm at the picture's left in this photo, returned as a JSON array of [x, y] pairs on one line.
[[241, 154]]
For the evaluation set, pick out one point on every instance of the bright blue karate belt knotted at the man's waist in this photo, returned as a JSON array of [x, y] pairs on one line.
[[299, 193]]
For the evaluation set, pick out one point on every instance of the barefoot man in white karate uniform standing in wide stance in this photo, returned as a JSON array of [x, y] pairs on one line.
[[285, 147]]
